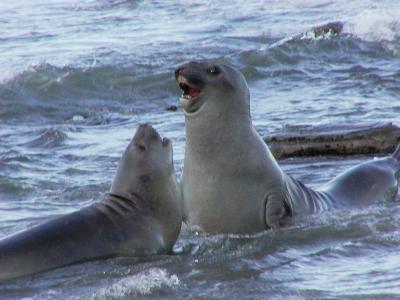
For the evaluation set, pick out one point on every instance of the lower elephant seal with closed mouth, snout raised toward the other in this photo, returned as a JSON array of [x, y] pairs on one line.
[[140, 216]]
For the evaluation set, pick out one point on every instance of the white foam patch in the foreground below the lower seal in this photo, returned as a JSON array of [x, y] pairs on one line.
[[143, 283]]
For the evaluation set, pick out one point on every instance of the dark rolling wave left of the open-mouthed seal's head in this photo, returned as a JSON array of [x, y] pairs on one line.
[[47, 91]]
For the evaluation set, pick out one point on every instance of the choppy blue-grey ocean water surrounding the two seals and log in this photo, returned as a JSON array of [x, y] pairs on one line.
[[77, 77]]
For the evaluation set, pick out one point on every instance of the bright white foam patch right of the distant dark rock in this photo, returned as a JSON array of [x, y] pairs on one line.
[[375, 25]]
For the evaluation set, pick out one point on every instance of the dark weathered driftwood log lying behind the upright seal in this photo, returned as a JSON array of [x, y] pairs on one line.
[[383, 139]]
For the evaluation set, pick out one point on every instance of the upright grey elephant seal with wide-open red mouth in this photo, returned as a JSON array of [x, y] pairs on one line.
[[231, 183]]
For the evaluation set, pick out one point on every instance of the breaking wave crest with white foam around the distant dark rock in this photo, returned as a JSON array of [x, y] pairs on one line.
[[378, 36]]
